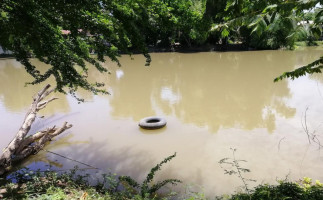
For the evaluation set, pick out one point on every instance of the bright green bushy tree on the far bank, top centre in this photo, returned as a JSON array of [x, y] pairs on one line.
[[179, 22]]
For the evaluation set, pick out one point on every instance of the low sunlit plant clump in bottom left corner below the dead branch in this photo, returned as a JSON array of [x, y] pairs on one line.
[[50, 185]]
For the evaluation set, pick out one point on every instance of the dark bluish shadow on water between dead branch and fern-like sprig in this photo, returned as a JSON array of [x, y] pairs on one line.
[[123, 161]]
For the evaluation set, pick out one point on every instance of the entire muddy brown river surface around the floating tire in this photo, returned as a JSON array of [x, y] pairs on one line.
[[212, 101]]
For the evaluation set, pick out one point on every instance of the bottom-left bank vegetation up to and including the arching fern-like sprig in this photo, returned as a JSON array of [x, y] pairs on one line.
[[26, 184]]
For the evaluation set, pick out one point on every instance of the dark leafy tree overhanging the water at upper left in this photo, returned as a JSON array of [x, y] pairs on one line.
[[34, 28]]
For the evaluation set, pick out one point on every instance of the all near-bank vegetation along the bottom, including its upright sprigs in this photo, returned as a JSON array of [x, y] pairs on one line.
[[75, 184]]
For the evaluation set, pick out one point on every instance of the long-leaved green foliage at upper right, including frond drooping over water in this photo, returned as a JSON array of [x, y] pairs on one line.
[[269, 24]]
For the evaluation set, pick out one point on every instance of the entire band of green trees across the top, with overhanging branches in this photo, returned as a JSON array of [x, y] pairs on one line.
[[110, 27]]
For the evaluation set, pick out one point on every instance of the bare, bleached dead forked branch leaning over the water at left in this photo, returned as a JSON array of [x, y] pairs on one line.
[[22, 145]]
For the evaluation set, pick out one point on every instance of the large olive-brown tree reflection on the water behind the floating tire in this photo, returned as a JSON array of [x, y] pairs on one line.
[[214, 90]]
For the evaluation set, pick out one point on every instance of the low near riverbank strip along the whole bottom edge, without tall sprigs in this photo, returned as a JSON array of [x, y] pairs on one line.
[[72, 185]]
